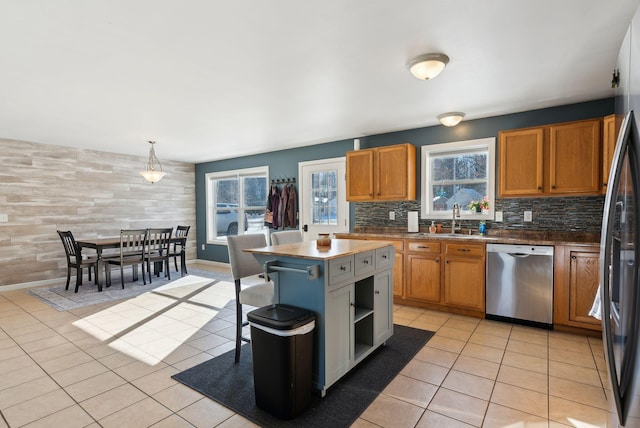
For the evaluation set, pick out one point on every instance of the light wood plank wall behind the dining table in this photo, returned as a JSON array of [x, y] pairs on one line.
[[45, 188]]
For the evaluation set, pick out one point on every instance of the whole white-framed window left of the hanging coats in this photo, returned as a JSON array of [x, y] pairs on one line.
[[236, 203]]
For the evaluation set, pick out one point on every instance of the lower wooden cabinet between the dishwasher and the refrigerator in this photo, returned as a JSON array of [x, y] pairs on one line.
[[576, 279]]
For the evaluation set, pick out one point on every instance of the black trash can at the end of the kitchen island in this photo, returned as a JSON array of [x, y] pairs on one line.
[[282, 348]]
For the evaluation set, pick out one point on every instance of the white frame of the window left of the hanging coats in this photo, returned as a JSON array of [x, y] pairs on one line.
[[210, 179]]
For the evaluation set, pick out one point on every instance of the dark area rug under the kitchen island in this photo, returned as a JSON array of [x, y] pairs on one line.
[[232, 385]]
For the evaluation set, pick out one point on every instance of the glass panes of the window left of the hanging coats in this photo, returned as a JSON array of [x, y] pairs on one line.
[[240, 205]]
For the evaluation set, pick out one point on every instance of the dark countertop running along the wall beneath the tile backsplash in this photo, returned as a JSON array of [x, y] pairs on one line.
[[541, 237]]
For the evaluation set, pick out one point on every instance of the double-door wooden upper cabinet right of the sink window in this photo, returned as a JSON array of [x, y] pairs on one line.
[[560, 159]]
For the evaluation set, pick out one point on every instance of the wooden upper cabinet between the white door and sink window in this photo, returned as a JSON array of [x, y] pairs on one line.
[[382, 174]]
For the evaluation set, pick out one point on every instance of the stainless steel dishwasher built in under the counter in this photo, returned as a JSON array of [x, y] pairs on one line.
[[519, 283]]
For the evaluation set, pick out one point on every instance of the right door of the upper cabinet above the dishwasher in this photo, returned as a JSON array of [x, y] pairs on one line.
[[574, 158]]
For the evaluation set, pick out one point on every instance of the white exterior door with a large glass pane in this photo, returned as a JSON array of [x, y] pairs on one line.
[[323, 204]]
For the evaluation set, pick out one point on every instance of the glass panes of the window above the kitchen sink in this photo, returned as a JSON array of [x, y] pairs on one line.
[[458, 177]]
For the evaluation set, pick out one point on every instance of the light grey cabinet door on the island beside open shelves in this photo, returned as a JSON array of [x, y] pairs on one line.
[[339, 336]]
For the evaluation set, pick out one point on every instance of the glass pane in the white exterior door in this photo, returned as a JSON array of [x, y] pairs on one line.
[[324, 188]]
